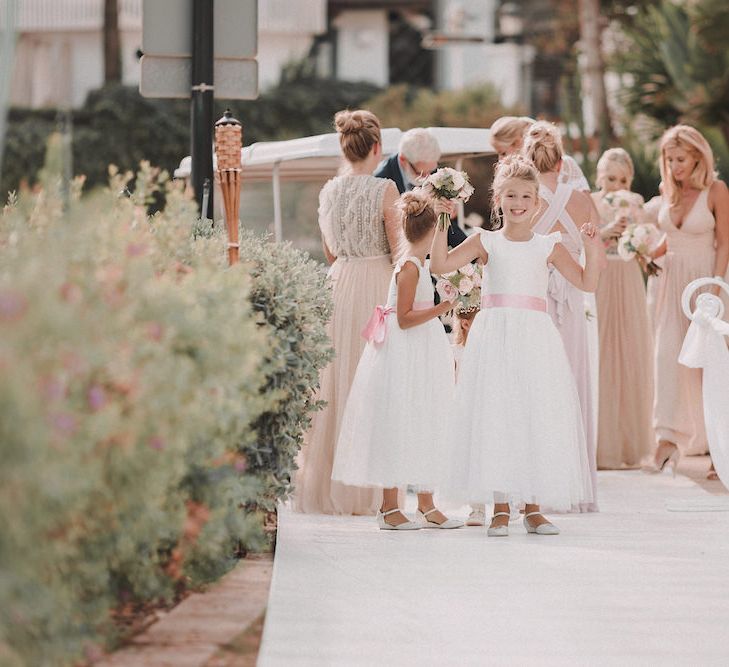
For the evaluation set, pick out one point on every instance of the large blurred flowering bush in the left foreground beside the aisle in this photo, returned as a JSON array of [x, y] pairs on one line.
[[133, 385]]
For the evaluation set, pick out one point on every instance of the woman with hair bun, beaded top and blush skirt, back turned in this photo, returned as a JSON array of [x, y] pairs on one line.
[[360, 229]]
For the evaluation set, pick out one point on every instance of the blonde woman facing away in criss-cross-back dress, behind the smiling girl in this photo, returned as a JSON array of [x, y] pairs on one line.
[[565, 209]]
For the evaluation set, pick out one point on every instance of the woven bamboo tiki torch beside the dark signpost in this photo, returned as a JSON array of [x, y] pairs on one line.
[[228, 142]]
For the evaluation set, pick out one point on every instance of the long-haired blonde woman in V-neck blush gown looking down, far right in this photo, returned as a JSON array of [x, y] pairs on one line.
[[694, 215]]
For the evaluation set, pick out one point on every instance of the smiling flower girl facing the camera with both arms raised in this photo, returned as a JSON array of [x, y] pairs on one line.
[[518, 430]]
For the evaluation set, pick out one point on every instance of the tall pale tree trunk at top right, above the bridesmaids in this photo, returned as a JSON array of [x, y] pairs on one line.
[[594, 67]]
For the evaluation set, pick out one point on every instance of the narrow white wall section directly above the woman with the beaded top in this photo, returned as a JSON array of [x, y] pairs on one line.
[[363, 46]]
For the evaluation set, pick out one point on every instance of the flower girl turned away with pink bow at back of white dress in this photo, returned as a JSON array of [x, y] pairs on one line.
[[394, 426]]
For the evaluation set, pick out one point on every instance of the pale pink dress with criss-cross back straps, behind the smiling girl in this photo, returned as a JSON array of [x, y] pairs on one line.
[[566, 305]]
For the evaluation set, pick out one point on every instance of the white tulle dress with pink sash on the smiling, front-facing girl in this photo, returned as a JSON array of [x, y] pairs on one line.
[[518, 426]]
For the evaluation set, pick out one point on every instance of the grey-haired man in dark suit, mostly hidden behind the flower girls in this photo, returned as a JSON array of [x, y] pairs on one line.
[[417, 156]]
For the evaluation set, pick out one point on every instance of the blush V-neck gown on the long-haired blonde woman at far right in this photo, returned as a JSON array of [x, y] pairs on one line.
[[678, 414]]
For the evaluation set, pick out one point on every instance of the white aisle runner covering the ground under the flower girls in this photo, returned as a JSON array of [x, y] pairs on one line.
[[634, 584]]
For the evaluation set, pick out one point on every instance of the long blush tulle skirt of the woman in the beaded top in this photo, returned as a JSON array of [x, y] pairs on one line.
[[358, 286]]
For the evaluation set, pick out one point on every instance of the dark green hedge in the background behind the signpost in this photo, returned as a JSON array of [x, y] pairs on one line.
[[117, 125]]
